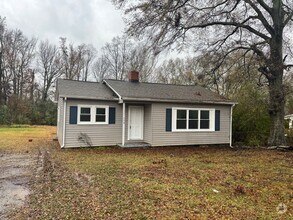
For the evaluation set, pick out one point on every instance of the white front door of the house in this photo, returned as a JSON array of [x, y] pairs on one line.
[[135, 123]]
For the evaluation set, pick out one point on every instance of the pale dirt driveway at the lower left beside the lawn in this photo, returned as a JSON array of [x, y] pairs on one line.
[[16, 170]]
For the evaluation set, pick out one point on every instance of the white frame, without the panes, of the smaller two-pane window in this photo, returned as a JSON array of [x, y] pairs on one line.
[[93, 114]]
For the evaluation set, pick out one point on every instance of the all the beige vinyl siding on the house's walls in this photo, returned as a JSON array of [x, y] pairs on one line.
[[154, 126]]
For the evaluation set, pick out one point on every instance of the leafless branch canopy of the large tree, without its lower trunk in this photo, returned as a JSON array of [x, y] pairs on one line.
[[210, 25]]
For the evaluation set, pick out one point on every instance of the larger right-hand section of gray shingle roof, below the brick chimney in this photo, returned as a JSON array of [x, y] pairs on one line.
[[165, 92]]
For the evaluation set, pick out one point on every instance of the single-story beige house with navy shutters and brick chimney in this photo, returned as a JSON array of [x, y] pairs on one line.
[[133, 113]]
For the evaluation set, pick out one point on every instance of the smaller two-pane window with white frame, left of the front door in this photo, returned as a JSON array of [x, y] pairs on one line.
[[93, 114]]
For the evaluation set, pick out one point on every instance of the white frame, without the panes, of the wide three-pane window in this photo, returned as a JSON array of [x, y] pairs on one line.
[[211, 119]]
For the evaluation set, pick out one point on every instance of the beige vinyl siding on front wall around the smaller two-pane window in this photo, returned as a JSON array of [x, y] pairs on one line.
[[99, 134]]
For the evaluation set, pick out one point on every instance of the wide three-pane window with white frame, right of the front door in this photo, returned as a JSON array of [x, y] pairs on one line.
[[189, 119]]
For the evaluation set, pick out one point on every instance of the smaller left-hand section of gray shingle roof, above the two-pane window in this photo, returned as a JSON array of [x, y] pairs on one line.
[[87, 90]]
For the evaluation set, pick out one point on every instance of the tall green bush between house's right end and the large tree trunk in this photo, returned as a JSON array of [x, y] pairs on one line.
[[251, 121]]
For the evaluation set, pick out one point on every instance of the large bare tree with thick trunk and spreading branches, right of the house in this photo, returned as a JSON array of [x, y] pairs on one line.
[[253, 26]]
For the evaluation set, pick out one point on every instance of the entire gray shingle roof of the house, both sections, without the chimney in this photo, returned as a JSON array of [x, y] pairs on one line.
[[137, 92]]
